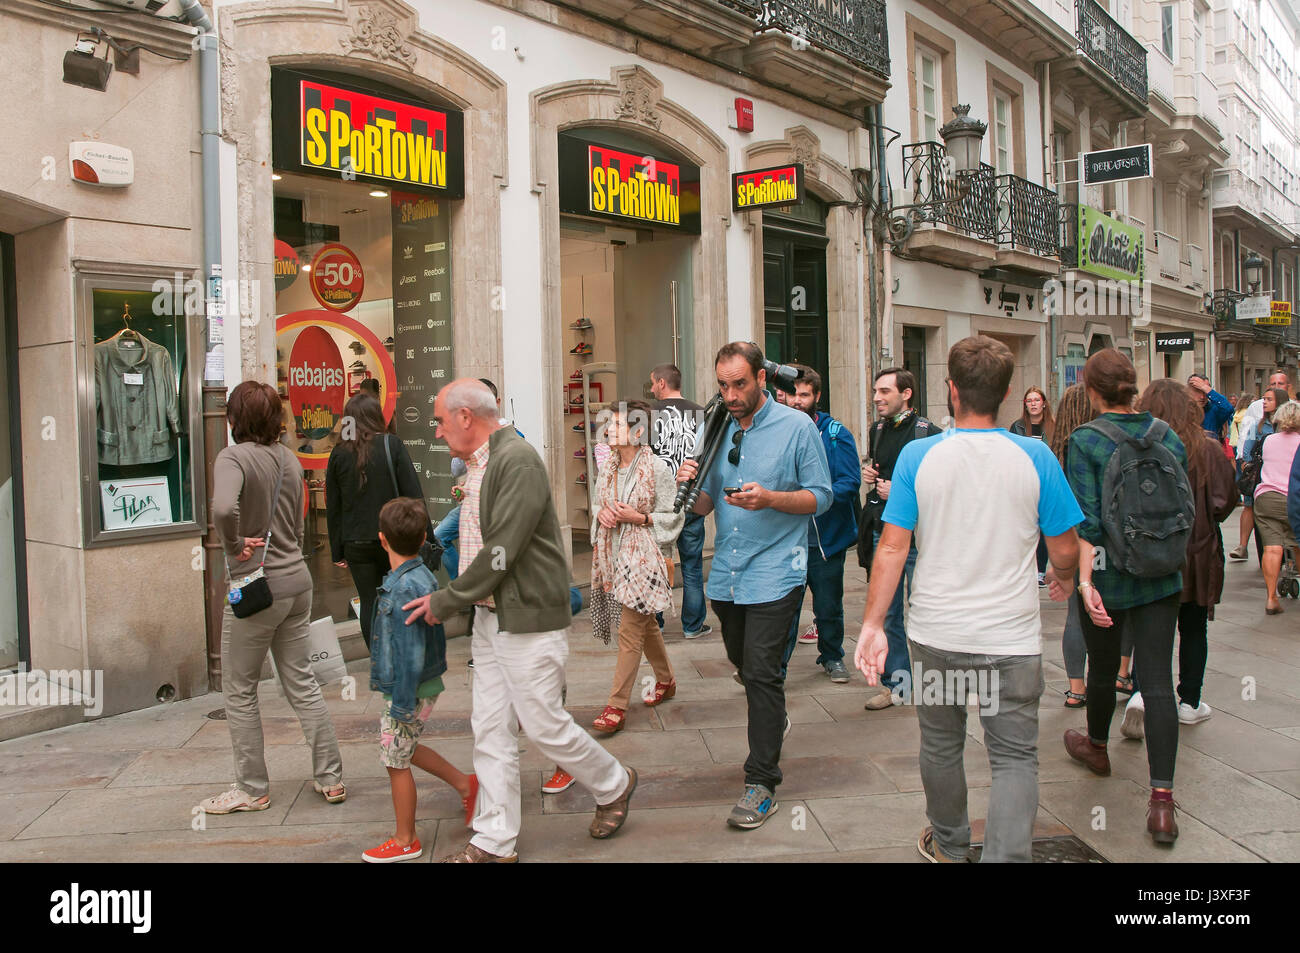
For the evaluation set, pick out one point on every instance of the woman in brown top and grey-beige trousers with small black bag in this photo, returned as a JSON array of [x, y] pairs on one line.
[[245, 504]]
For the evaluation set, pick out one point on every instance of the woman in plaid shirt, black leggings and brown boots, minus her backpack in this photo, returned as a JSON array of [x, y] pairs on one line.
[[1113, 603]]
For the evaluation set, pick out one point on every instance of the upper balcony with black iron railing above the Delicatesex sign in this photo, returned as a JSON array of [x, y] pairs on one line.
[[1110, 71]]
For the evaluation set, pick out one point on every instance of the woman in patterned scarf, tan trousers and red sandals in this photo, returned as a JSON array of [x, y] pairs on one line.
[[632, 535]]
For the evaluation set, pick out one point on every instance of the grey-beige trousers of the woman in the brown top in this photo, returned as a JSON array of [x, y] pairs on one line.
[[283, 629]]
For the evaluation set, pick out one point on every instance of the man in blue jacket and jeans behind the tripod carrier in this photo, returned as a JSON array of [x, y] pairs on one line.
[[830, 535]]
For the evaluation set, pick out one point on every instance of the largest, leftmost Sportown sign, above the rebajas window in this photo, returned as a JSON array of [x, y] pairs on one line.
[[330, 129]]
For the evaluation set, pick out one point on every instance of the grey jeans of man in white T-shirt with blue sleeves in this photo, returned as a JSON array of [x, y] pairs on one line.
[[1011, 718]]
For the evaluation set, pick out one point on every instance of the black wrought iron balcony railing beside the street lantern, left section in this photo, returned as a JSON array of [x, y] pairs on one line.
[[973, 213]]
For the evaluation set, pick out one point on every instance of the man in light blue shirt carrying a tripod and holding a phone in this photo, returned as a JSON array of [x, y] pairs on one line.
[[770, 475]]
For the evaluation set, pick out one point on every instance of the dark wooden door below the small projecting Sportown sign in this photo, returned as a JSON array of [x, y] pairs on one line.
[[795, 309]]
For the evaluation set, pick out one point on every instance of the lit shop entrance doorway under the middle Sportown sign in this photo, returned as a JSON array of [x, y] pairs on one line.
[[627, 307]]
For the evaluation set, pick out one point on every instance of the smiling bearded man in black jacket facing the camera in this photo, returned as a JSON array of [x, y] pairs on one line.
[[896, 427]]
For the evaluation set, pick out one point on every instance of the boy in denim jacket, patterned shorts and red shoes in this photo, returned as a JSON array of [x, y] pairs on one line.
[[406, 665]]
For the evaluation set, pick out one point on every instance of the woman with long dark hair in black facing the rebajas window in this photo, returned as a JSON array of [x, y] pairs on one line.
[[367, 470]]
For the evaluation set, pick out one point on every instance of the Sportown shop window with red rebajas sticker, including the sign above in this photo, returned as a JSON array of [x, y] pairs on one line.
[[366, 184]]
